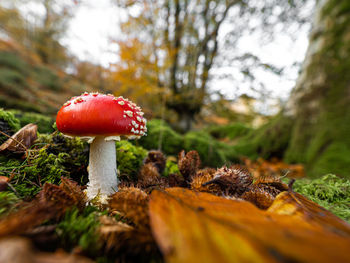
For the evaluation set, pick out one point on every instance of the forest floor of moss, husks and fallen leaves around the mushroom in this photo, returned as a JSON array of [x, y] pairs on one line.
[[167, 208]]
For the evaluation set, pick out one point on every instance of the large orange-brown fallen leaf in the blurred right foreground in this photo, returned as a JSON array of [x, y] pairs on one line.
[[199, 227]]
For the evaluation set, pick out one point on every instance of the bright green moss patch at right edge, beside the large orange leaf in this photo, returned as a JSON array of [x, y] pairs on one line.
[[329, 191]]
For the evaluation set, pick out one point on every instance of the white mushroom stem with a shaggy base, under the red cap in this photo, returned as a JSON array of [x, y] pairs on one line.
[[102, 169]]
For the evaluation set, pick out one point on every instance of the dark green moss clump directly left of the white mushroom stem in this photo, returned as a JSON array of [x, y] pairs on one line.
[[51, 157]]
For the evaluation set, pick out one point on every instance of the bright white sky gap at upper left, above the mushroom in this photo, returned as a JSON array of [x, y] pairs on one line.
[[91, 29]]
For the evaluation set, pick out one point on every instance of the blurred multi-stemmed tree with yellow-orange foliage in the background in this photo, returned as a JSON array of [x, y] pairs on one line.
[[171, 47]]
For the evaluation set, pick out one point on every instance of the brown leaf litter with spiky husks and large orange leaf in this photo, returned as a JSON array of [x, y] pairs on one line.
[[226, 214]]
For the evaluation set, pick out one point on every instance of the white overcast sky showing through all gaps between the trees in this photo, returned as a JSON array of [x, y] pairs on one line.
[[95, 23]]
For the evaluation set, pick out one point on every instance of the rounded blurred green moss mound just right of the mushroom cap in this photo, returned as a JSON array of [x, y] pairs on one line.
[[171, 141]]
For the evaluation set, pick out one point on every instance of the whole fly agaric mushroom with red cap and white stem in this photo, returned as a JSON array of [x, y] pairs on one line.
[[102, 119]]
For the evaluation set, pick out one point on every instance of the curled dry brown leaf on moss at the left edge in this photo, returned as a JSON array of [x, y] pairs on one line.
[[21, 140]]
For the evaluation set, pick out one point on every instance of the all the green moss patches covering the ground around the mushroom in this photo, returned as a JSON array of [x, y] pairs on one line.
[[54, 155]]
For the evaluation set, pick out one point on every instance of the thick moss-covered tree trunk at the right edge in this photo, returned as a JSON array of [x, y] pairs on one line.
[[320, 102]]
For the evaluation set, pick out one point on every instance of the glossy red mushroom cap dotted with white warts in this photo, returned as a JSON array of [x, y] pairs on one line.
[[93, 114]]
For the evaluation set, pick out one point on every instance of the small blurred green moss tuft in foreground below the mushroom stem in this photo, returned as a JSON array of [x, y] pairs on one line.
[[80, 229]]
